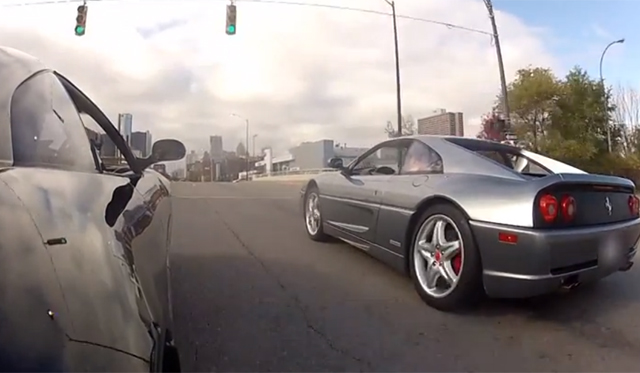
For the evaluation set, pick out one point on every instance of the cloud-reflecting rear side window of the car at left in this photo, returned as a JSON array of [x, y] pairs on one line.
[[46, 129]]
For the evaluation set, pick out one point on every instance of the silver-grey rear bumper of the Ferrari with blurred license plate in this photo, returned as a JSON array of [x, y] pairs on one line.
[[542, 260]]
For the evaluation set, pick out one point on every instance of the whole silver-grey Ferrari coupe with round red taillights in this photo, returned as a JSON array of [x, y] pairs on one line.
[[467, 217]]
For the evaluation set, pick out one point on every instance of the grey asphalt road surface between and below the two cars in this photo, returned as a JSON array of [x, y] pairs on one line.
[[252, 293]]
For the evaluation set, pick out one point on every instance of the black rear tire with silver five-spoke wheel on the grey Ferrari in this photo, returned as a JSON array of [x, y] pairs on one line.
[[464, 270]]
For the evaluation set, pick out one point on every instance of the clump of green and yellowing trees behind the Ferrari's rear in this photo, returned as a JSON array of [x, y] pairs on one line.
[[567, 119]]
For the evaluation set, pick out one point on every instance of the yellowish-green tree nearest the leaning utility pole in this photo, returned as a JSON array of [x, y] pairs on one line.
[[532, 97]]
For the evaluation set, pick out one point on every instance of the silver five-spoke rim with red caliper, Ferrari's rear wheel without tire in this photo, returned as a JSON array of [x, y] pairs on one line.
[[438, 256]]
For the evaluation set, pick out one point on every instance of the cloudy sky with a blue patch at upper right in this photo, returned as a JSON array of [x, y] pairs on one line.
[[304, 73]]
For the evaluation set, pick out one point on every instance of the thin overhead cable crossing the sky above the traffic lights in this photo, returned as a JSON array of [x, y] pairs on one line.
[[280, 2]]
